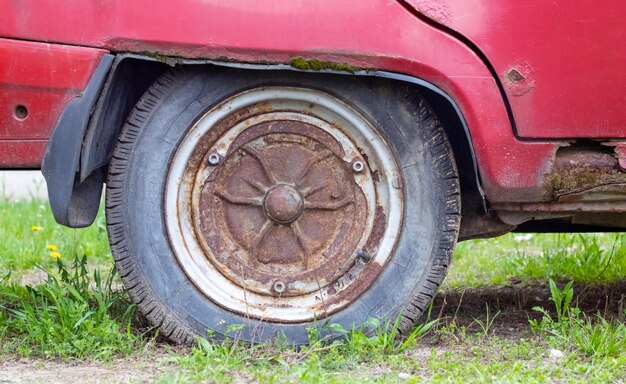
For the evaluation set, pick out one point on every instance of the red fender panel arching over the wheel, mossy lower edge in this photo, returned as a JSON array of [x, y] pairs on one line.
[[378, 36]]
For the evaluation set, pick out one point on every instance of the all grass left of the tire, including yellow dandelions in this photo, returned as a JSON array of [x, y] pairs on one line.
[[71, 309]]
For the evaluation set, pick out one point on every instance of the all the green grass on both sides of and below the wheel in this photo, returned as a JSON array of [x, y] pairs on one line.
[[72, 311]]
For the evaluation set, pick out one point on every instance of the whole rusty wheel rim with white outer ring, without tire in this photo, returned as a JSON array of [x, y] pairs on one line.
[[281, 205]]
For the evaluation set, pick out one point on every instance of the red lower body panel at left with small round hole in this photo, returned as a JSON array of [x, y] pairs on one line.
[[43, 78]]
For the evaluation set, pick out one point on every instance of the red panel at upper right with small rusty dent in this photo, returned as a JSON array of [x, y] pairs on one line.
[[561, 63]]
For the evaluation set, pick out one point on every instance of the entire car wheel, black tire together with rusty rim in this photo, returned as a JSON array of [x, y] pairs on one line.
[[280, 200]]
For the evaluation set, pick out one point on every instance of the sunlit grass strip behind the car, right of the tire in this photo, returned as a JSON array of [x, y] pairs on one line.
[[585, 258]]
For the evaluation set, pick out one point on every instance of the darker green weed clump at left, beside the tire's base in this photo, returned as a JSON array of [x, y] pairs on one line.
[[70, 315]]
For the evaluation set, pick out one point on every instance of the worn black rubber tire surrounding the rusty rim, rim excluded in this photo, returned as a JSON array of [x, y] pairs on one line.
[[138, 235]]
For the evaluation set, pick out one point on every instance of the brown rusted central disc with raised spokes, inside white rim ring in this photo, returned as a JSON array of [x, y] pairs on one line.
[[283, 203]]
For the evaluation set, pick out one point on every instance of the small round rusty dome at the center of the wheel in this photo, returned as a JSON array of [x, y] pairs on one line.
[[283, 204]]
